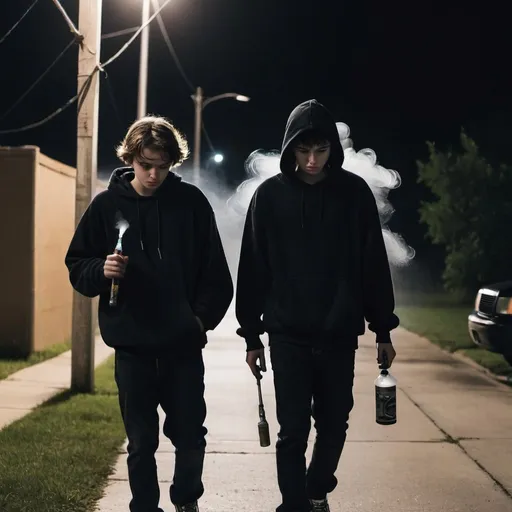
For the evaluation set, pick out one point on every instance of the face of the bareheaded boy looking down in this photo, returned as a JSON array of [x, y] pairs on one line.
[[151, 168]]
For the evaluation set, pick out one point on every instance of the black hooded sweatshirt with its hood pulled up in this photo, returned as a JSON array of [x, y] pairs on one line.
[[313, 260]]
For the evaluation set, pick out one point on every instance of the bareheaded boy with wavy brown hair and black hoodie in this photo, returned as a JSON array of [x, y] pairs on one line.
[[174, 286]]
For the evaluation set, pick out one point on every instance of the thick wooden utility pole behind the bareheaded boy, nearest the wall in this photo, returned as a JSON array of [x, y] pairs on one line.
[[82, 350]]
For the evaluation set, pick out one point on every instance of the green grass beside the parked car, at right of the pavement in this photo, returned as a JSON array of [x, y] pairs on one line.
[[445, 323]]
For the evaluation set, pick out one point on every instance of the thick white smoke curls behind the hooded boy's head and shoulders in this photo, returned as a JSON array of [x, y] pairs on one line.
[[261, 165]]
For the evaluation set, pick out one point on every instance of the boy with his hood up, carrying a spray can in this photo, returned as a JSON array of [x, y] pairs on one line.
[[314, 265]]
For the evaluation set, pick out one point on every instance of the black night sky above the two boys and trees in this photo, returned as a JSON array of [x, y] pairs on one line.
[[398, 73]]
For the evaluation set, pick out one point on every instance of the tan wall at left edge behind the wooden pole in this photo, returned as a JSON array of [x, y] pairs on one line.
[[38, 212]]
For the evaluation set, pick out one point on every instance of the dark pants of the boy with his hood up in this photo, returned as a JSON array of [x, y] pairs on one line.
[[310, 383]]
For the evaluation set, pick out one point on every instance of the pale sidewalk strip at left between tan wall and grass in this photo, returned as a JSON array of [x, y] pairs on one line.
[[24, 390]]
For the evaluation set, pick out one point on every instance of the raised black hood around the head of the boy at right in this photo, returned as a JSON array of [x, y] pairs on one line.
[[310, 115]]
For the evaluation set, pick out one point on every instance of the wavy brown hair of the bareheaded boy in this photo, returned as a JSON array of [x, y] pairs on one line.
[[156, 133]]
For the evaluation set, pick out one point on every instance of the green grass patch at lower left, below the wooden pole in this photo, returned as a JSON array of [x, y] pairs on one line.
[[58, 458]]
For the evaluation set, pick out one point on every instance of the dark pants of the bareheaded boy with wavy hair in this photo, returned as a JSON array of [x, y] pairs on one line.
[[176, 382]]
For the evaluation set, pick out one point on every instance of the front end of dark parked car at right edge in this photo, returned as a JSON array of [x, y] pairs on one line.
[[490, 324]]
